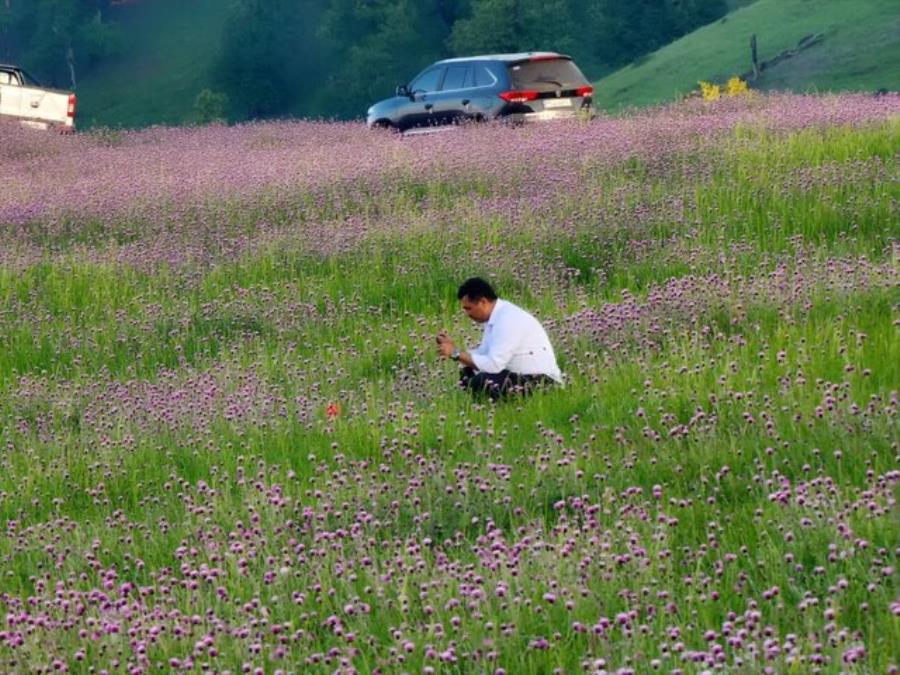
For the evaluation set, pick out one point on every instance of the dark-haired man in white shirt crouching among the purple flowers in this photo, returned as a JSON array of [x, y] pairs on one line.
[[515, 355]]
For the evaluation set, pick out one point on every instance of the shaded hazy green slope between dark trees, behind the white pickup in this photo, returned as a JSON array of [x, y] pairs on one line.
[[171, 45]]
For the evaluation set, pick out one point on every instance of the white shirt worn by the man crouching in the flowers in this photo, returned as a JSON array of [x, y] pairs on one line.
[[515, 341]]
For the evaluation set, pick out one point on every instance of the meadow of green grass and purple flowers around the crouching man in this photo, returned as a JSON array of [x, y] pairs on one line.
[[228, 445]]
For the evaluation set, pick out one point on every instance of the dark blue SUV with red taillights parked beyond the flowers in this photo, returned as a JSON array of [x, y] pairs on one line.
[[521, 87]]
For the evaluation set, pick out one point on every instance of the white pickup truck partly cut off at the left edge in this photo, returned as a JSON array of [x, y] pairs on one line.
[[22, 98]]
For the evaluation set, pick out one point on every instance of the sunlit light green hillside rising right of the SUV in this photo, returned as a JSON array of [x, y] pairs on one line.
[[860, 51]]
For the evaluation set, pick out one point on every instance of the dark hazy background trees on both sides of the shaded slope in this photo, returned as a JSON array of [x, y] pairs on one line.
[[333, 57]]
